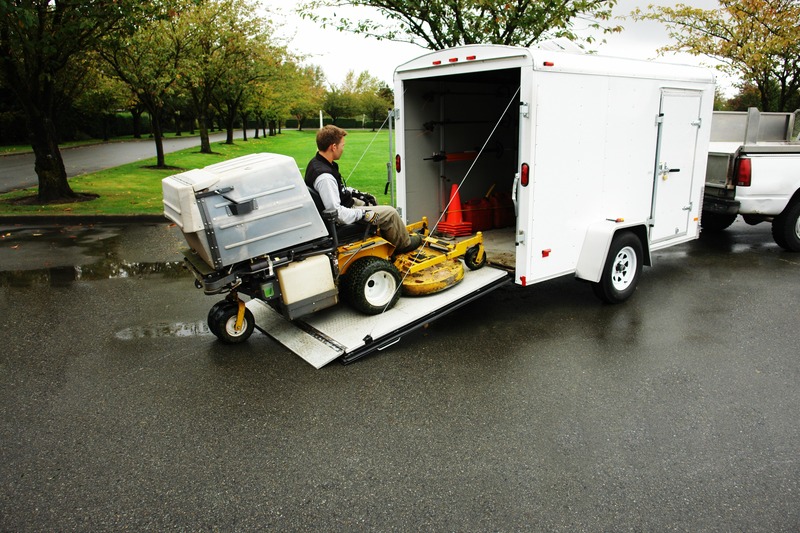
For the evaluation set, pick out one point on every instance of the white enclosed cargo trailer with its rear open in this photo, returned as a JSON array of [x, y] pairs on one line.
[[604, 157]]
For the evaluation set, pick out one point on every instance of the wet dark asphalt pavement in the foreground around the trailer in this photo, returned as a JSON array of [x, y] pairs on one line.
[[533, 409]]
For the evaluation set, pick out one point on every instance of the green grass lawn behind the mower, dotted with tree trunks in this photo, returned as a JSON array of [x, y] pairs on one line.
[[135, 189]]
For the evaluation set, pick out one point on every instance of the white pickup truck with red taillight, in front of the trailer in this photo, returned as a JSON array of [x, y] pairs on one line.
[[754, 171]]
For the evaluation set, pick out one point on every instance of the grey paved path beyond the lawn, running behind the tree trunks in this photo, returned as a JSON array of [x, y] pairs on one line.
[[17, 171]]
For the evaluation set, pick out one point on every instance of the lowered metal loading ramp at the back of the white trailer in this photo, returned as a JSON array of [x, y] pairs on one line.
[[340, 332]]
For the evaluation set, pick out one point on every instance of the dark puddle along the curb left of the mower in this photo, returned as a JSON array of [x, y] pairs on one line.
[[61, 255]]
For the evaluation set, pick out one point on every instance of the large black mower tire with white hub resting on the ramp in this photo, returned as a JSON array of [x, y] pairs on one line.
[[371, 285]]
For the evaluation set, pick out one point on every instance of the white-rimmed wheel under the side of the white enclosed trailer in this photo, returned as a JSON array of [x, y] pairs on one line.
[[622, 269]]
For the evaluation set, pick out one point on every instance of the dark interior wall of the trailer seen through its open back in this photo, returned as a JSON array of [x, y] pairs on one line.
[[458, 115]]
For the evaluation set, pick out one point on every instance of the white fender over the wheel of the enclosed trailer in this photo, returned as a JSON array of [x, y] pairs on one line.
[[597, 242]]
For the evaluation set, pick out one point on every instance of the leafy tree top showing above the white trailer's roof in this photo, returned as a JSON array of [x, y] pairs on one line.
[[437, 25]]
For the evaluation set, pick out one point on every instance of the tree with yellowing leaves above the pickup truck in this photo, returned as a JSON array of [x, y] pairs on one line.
[[757, 41]]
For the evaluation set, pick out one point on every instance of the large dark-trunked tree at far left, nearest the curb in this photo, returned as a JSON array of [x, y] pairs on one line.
[[40, 43]]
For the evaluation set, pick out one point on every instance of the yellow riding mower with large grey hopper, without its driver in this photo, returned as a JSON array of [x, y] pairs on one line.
[[255, 228]]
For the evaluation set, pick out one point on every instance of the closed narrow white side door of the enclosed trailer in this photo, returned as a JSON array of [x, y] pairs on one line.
[[674, 173]]
